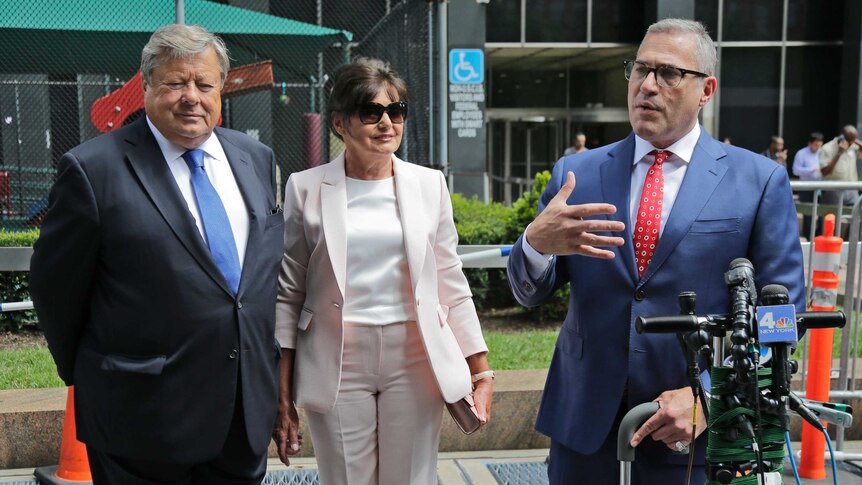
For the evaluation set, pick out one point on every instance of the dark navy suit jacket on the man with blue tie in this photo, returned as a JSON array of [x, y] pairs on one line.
[[137, 314]]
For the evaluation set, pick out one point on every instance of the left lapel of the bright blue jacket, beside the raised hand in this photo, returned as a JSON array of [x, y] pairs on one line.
[[616, 171]]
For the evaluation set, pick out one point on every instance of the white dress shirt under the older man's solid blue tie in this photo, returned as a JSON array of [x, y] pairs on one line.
[[221, 176]]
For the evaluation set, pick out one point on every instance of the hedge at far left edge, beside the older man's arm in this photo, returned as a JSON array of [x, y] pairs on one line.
[[14, 284]]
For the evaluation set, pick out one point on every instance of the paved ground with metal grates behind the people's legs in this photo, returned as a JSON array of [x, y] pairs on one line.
[[514, 467]]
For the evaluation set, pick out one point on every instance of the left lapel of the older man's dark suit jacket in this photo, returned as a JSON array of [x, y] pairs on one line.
[[149, 165]]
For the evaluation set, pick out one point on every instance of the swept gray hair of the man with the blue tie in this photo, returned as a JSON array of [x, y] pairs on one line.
[[178, 41]]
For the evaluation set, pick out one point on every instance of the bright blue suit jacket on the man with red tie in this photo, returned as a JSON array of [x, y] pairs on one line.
[[732, 204]]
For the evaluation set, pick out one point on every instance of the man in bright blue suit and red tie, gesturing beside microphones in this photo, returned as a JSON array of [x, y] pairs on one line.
[[663, 211]]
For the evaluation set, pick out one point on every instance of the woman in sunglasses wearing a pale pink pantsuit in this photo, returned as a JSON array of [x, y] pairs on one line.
[[375, 318]]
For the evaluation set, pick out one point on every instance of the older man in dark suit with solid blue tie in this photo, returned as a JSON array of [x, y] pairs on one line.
[[155, 281]]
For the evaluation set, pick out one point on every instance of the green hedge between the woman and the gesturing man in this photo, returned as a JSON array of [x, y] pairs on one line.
[[480, 223]]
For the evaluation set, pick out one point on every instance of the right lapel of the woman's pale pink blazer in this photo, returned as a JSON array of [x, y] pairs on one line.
[[408, 197]]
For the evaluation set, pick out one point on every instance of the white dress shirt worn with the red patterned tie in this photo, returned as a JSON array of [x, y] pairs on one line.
[[673, 170]]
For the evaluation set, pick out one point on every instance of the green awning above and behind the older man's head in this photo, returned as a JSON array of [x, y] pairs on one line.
[[68, 37]]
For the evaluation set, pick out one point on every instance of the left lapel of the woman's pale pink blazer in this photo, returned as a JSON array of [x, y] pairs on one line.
[[333, 208]]
